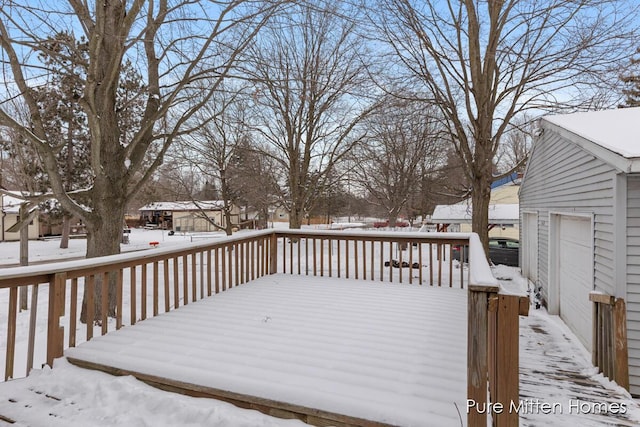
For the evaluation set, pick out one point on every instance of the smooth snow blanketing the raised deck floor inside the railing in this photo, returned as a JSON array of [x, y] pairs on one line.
[[390, 353]]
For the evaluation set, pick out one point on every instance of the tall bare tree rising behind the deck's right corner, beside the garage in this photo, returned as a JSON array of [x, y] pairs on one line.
[[486, 62]]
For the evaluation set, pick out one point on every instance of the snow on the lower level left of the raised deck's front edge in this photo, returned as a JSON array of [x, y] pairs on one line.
[[68, 396]]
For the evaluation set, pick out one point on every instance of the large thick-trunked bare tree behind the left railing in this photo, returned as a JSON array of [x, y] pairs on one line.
[[173, 44]]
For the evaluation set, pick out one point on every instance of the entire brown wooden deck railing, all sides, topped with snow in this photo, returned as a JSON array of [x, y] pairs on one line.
[[159, 280]]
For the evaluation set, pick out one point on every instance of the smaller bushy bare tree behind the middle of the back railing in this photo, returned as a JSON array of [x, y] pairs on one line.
[[402, 147]]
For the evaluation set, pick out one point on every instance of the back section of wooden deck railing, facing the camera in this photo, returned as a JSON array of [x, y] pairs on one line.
[[400, 257]]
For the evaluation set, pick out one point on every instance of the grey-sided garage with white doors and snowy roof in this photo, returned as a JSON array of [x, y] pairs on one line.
[[580, 219]]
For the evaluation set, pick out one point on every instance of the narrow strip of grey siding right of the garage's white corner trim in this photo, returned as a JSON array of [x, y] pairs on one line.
[[633, 280]]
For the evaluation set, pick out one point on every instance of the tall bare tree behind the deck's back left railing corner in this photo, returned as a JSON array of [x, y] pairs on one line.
[[309, 69]]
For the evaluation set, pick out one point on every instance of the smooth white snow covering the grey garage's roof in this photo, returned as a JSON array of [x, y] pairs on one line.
[[615, 130]]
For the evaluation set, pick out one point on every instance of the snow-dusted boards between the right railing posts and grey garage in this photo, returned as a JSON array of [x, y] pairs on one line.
[[558, 384]]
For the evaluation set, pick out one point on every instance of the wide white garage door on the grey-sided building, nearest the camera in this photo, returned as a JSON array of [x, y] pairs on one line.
[[575, 275]]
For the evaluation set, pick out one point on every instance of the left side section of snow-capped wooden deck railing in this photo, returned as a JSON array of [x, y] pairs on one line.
[[156, 281]]
